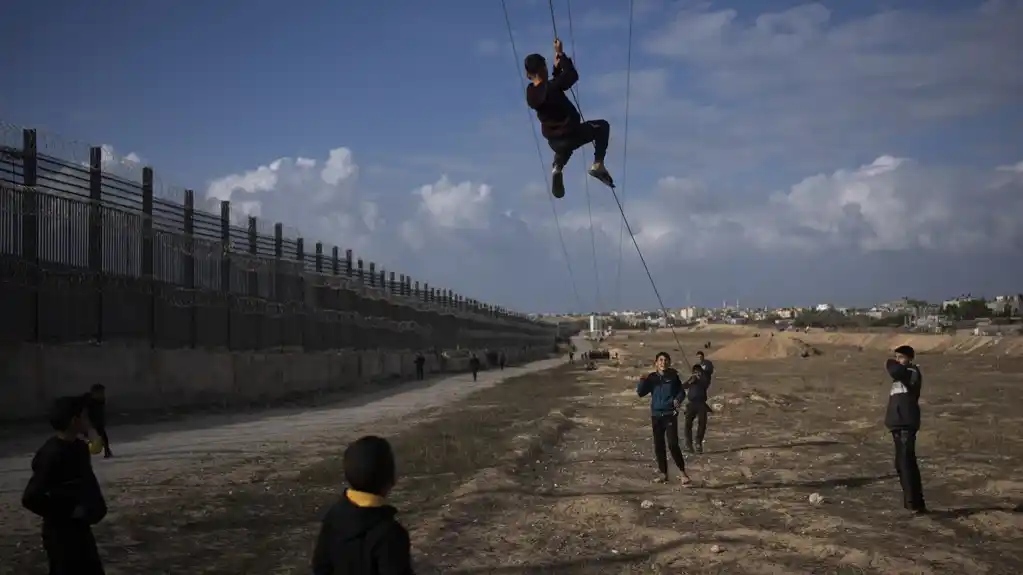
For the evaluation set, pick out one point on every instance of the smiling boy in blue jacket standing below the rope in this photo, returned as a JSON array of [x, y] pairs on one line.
[[666, 395]]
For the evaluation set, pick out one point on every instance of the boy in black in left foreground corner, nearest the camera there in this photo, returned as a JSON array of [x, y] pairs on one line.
[[64, 492]]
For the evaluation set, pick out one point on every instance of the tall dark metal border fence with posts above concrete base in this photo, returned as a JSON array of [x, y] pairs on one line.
[[87, 255]]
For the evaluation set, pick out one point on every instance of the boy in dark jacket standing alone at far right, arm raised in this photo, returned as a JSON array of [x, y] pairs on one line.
[[903, 420]]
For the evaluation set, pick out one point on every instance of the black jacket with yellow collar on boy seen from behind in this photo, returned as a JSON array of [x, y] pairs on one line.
[[357, 541]]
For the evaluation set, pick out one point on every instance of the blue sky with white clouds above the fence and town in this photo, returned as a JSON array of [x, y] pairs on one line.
[[779, 153]]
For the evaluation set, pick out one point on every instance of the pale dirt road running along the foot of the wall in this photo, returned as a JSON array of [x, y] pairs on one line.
[[158, 466]]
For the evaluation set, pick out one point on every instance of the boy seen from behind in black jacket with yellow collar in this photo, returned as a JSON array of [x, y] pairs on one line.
[[361, 535]]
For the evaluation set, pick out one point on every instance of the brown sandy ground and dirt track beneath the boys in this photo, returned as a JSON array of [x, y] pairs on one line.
[[551, 473]]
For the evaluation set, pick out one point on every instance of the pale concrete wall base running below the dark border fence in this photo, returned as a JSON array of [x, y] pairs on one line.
[[142, 378]]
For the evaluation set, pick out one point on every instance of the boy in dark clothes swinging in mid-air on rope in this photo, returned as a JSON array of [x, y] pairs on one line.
[[560, 121]]
